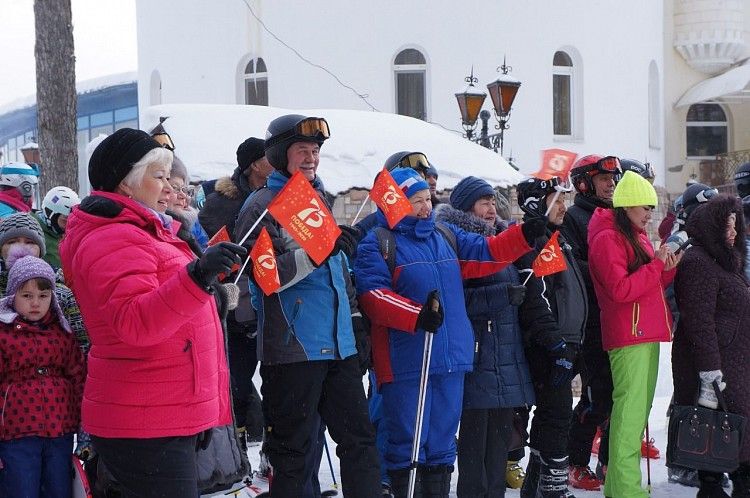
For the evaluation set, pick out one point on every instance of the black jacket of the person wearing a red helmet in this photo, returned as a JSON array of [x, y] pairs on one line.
[[576, 229]]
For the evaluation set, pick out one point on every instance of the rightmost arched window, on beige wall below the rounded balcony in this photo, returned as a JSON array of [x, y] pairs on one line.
[[707, 131]]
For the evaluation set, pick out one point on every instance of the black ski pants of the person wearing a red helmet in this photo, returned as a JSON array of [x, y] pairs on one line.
[[594, 407]]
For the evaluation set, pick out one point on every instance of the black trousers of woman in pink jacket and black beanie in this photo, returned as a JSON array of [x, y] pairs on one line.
[[161, 467]]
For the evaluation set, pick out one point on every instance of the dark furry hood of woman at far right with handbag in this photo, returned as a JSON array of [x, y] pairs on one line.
[[707, 226]]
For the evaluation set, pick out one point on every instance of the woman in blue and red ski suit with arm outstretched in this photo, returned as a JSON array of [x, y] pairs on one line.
[[428, 260]]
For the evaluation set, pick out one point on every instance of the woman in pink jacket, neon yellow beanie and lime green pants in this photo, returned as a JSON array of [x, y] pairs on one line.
[[629, 279]]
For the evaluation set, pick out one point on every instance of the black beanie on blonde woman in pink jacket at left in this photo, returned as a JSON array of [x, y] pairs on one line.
[[115, 156]]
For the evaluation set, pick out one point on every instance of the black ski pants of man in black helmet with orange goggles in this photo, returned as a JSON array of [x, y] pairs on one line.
[[295, 397]]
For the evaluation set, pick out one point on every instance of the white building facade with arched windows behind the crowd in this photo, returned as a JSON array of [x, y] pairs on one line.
[[599, 76]]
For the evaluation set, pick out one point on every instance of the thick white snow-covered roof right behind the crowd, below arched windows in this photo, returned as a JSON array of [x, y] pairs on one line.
[[206, 139]]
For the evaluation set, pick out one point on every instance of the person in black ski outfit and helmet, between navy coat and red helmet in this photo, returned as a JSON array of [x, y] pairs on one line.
[[552, 317]]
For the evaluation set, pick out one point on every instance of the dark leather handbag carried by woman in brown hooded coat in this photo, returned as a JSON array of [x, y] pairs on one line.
[[704, 439]]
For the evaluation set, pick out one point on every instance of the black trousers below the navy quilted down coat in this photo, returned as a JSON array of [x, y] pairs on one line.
[[483, 440]]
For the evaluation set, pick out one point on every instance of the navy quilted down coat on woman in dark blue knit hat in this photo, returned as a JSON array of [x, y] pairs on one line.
[[501, 377]]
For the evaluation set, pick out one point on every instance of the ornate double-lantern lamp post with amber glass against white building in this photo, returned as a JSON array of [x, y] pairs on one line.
[[502, 92]]
